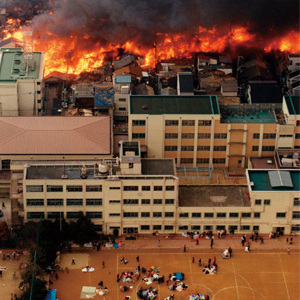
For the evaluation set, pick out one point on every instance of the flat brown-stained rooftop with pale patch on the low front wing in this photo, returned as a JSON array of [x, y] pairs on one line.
[[213, 196]]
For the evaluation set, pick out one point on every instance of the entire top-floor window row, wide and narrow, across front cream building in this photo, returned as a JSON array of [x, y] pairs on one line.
[[91, 188]]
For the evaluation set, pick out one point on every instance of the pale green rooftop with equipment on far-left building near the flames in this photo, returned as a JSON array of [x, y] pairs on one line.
[[12, 66]]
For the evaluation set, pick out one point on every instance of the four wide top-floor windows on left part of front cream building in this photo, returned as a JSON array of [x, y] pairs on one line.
[[59, 188]]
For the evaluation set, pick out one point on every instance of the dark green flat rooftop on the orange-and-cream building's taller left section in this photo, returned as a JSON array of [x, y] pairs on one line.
[[173, 105]]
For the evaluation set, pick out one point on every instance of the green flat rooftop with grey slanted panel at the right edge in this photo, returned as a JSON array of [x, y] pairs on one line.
[[278, 180]]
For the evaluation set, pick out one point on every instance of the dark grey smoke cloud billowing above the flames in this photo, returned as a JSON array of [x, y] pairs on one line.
[[117, 21]]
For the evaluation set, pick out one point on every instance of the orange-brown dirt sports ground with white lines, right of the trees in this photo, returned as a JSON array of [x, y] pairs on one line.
[[261, 274]]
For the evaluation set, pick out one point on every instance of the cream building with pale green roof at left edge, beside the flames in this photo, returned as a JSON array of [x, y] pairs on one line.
[[21, 83]]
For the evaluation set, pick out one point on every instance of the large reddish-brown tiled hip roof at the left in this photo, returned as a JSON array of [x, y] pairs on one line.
[[55, 135]]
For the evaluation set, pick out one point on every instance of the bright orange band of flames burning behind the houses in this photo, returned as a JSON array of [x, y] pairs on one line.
[[76, 55]]
